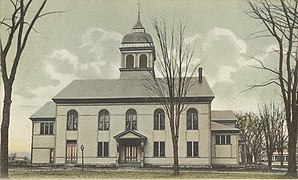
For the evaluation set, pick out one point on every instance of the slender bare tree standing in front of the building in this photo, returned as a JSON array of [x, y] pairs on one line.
[[174, 64]]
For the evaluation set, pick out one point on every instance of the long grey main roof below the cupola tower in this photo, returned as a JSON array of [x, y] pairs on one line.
[[122, 88]]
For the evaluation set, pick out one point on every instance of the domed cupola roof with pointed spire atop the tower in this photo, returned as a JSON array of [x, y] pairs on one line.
[[138, 35]]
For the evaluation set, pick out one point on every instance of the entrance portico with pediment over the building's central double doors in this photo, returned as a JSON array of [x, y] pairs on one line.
[[130, 148]]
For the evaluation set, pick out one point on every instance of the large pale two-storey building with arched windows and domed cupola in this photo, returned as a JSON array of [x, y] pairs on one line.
[[116, 122]]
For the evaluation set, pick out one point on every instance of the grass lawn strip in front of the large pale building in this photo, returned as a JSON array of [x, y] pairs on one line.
[[38, 172]]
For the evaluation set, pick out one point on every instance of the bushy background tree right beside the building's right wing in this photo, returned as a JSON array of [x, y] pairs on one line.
[[251, 133]]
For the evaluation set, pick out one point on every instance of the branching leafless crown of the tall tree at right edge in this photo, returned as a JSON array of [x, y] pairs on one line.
[[280, 19]]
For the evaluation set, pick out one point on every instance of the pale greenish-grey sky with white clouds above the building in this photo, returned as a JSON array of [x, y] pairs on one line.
[[83, 43]]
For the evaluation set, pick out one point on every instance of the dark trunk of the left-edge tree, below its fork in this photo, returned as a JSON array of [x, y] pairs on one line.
[[5, 130]]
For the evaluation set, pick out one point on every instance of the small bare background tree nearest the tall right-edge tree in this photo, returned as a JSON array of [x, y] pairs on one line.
[[271, 116]]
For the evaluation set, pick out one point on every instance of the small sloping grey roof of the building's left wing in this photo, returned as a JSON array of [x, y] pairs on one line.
[[47, 111]]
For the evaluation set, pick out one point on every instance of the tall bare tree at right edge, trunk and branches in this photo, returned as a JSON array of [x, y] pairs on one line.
[[280, 19]]
